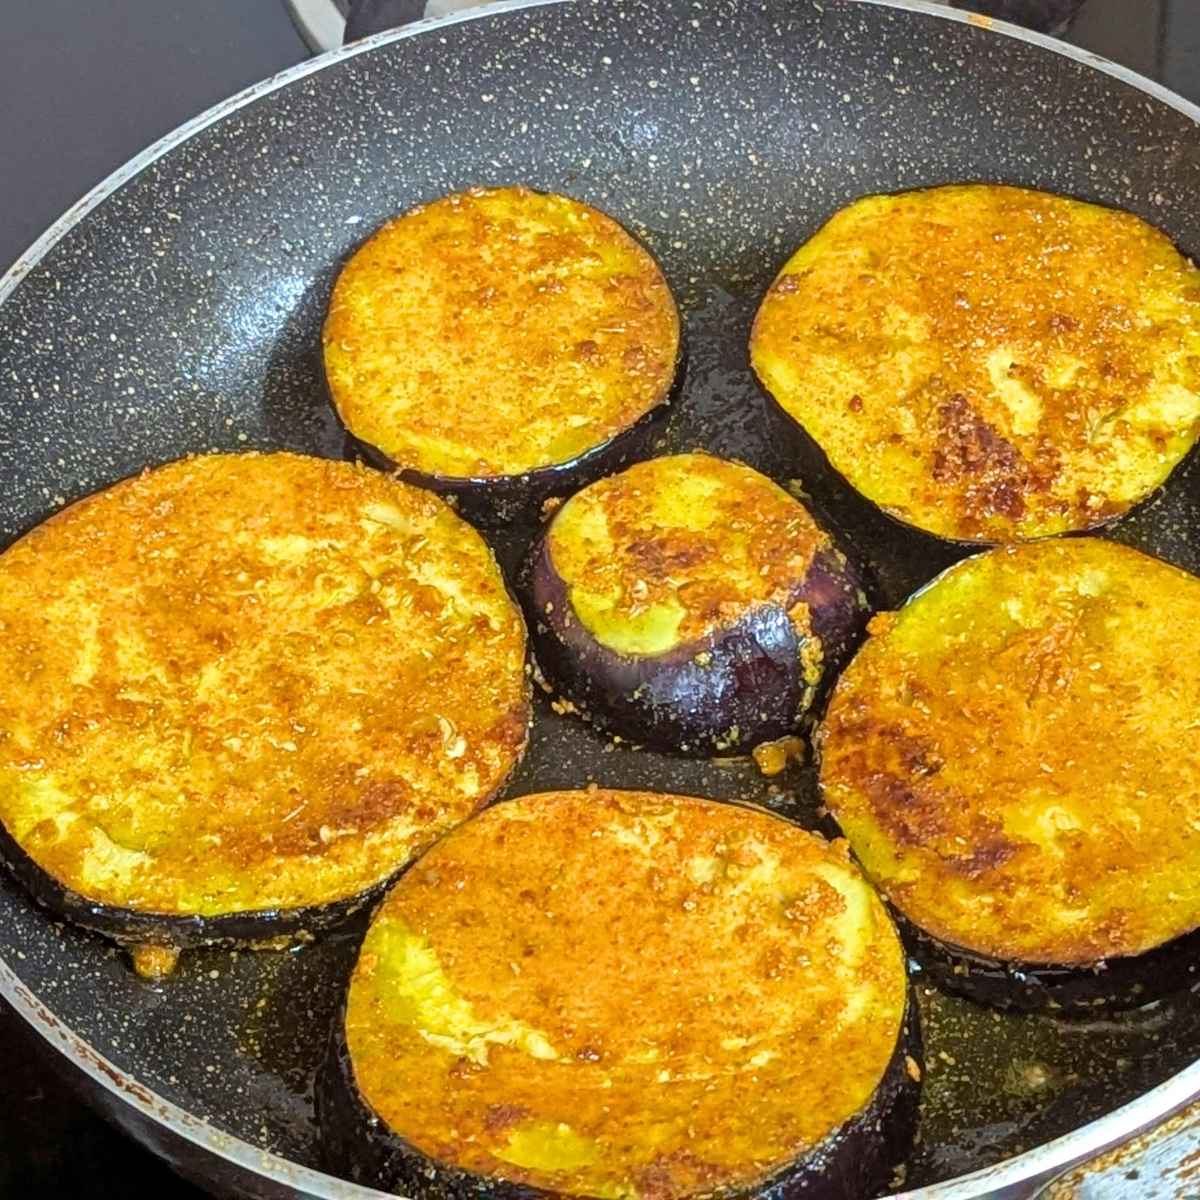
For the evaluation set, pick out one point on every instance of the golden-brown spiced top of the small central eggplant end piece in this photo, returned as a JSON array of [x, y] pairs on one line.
[[676, 548]]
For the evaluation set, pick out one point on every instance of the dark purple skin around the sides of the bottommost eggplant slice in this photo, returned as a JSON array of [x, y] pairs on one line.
[[856, 1162]]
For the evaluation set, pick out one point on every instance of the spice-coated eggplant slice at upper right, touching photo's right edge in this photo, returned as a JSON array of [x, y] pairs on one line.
[[989, 364]]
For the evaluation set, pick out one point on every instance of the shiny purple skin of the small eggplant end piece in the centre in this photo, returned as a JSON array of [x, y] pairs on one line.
[[746, 677]]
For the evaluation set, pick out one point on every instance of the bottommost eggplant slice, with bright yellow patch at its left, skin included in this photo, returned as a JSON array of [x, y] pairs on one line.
[[621, 994]]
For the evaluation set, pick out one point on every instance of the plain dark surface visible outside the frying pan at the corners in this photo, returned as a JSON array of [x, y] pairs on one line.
[[85, 87]]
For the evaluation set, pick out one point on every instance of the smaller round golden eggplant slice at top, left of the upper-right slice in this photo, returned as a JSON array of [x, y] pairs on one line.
[[502, 345]]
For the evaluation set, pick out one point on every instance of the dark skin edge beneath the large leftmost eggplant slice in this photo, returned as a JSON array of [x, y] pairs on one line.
[[131, 928]]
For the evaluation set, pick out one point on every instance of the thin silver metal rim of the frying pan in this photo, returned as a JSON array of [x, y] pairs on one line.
[[1034, 1167]]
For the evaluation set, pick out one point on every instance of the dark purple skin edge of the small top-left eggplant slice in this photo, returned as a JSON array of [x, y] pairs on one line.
[[497, 501]]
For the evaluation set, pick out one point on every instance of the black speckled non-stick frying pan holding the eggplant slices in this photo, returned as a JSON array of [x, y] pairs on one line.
[[177, 310]]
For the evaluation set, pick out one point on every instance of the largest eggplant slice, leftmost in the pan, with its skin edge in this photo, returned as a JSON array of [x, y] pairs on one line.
[[239, 693]]
